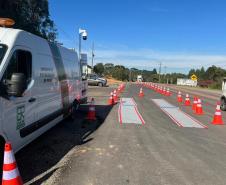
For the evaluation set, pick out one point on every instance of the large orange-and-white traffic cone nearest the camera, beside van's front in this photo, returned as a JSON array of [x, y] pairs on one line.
[[11, 175]]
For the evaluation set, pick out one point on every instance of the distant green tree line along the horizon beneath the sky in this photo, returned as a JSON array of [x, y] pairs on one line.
[[212, 76]]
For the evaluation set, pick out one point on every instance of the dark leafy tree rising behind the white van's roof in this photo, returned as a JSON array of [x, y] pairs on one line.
[[30, 15]]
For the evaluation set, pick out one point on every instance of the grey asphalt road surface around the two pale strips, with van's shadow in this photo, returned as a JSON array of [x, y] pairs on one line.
[[108, 153]]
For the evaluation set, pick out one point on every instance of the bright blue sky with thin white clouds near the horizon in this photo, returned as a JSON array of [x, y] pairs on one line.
[[180, 34]]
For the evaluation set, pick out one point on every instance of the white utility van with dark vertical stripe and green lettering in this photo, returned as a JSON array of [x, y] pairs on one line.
[[39, 85]]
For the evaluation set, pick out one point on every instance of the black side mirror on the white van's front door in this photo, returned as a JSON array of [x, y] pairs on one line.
[[17, 85]]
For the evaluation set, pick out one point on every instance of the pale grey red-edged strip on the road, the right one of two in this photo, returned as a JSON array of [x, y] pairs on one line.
[[179, 117]]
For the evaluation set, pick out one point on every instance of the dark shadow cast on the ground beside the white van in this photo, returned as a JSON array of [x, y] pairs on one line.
[[41, 156]]
